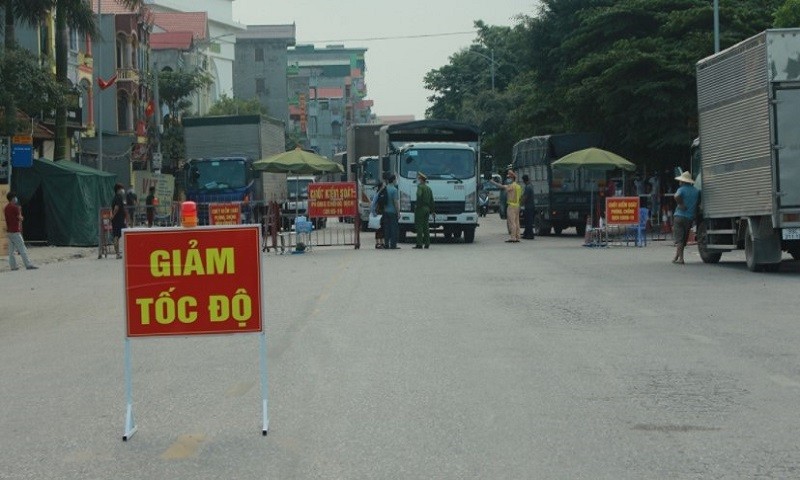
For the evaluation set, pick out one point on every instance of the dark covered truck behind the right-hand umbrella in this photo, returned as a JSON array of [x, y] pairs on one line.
[[562, 196]]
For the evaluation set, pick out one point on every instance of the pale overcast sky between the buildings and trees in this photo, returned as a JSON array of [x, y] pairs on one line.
[[397, 65]]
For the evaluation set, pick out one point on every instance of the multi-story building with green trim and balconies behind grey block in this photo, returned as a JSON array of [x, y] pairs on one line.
[[326, 95]]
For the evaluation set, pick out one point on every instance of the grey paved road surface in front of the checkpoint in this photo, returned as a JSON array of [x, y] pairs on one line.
[[542, 359]]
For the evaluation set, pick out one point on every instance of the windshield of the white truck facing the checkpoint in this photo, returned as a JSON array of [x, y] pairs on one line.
[[438, 164]]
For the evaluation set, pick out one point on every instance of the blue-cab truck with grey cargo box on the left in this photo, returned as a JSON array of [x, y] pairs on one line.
[[222, 149]]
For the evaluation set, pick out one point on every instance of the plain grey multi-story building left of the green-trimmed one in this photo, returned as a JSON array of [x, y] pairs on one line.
[[260, 67]]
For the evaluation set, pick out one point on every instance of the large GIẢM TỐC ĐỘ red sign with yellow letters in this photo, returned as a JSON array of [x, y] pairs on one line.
[[204, 280]]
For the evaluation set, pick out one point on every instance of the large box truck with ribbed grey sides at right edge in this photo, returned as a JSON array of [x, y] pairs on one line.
[[749, 170]]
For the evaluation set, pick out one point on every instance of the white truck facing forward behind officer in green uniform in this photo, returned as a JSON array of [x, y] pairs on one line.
[[448, 154]]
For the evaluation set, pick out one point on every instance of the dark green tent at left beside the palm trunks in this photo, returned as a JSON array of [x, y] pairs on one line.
[[71, 196]]
